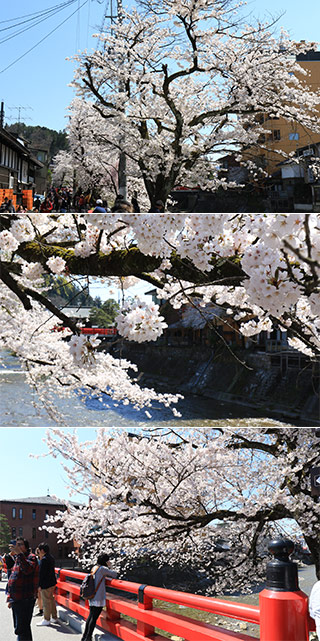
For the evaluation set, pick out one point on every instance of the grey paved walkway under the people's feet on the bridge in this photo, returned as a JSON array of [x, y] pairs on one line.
[[68, 628]]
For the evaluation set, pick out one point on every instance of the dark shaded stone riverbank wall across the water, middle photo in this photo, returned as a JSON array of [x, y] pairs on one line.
[[252, 381]]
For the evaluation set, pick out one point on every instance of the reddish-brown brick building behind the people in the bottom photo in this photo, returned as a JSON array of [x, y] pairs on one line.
[[26, 515]]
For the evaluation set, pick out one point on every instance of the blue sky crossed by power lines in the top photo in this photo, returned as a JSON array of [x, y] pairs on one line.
[[38, 82]]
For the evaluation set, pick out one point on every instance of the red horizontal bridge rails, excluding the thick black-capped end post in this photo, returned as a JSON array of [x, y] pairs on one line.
[[149, 617]]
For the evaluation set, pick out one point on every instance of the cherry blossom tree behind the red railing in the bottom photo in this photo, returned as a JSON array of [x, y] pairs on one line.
[[180, 493]]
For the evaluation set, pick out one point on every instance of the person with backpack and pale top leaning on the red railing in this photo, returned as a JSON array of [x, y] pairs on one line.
[[100, 571]]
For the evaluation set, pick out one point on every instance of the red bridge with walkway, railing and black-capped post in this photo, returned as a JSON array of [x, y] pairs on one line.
[[136, 612]]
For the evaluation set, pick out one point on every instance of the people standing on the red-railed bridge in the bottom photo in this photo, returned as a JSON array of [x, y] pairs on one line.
[[32, 576]]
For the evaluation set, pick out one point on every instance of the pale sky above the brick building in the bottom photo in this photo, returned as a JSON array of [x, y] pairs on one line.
[[22, 476]]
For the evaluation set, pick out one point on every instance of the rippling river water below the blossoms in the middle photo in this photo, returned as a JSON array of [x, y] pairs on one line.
[[19, 407]]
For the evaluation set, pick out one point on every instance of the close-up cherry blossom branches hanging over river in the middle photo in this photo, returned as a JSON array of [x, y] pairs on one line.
[[261, 269]]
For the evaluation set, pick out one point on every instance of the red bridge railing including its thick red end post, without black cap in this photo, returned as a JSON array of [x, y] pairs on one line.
[[147, 617]]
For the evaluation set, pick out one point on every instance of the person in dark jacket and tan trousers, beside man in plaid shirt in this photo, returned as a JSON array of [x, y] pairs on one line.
[[47, 584]]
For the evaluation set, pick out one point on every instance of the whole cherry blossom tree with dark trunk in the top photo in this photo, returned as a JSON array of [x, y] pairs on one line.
[[179, 83]]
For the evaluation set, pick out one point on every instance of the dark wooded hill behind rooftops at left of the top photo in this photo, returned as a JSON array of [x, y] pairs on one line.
[[41, 137]]
